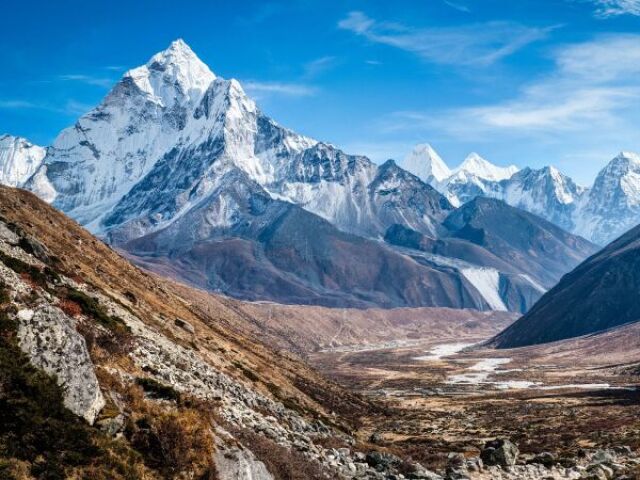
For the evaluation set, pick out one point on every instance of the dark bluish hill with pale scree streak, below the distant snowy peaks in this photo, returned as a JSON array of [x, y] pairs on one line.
[[498, 248]]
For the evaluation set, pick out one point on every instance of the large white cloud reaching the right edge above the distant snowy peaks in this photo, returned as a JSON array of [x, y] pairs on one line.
[[595, 85]]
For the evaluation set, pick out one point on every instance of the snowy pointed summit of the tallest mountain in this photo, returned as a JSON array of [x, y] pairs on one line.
[[177, 67]]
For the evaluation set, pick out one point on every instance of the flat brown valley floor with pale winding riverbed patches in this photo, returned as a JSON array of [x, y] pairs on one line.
[[452, 395]]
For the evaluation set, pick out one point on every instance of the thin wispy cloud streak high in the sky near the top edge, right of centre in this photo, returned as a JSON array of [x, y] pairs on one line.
[[478, 44]]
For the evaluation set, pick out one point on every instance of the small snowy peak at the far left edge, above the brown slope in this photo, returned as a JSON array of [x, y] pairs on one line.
[[19, 159]]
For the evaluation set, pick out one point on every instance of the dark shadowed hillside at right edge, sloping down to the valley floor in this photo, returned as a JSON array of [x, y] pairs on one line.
[[599, 294]]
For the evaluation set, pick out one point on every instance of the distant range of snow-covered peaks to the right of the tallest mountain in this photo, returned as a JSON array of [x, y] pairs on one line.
[[600, 213]]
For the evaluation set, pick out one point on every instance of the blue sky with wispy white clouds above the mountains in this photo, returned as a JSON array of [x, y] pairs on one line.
[[530, 82]]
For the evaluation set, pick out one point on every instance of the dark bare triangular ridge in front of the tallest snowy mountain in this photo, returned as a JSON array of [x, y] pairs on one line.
[[276, 250]]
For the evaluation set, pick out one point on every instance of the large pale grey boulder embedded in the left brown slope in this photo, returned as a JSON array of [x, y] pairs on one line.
[[50, 339]]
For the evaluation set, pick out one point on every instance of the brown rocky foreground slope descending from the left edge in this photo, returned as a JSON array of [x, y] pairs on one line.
[[166, 389]]
